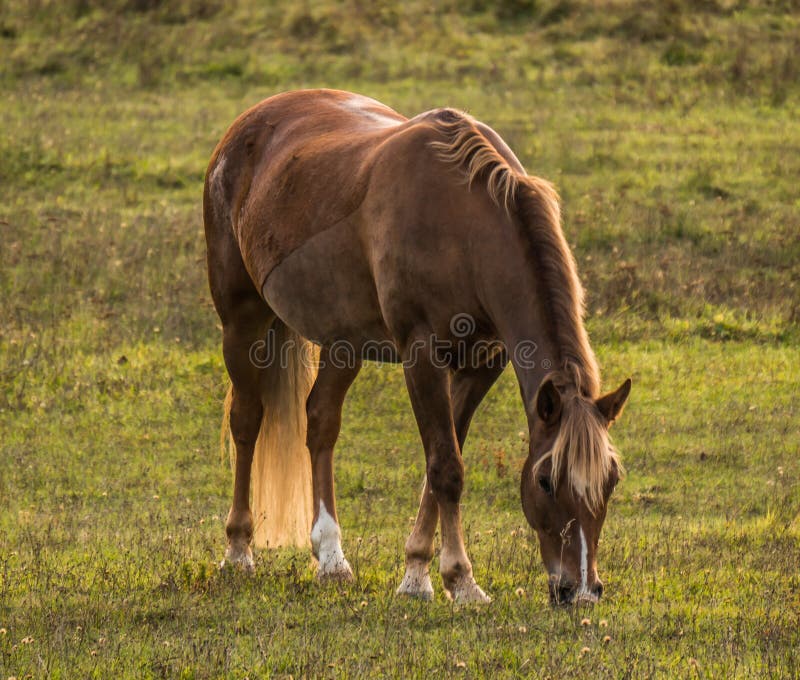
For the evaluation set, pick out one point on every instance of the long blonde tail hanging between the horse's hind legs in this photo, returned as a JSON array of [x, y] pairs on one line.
[[281, 472]]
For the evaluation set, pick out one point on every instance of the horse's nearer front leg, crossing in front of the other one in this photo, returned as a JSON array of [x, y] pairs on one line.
[[429, 389]]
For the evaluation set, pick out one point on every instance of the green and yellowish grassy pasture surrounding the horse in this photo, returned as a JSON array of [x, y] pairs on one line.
[[672, 131]]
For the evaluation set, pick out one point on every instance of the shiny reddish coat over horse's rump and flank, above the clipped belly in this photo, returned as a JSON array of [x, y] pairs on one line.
[[295, 165]]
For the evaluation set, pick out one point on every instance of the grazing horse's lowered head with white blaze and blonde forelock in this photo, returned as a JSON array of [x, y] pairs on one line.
[[567, 480]]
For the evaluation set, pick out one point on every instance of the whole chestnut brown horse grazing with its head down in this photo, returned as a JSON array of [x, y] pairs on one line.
[[332, 219]]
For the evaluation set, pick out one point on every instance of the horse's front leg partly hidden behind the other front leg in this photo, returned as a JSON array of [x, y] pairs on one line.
[[467, 390]]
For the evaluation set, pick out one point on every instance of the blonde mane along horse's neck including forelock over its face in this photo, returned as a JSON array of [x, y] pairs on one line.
[[582, 447]]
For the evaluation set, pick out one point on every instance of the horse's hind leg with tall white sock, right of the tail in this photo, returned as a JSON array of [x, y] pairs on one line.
[[324, 409]]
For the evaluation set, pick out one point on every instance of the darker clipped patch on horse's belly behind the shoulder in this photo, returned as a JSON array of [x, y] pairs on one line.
[[324, 290]]
